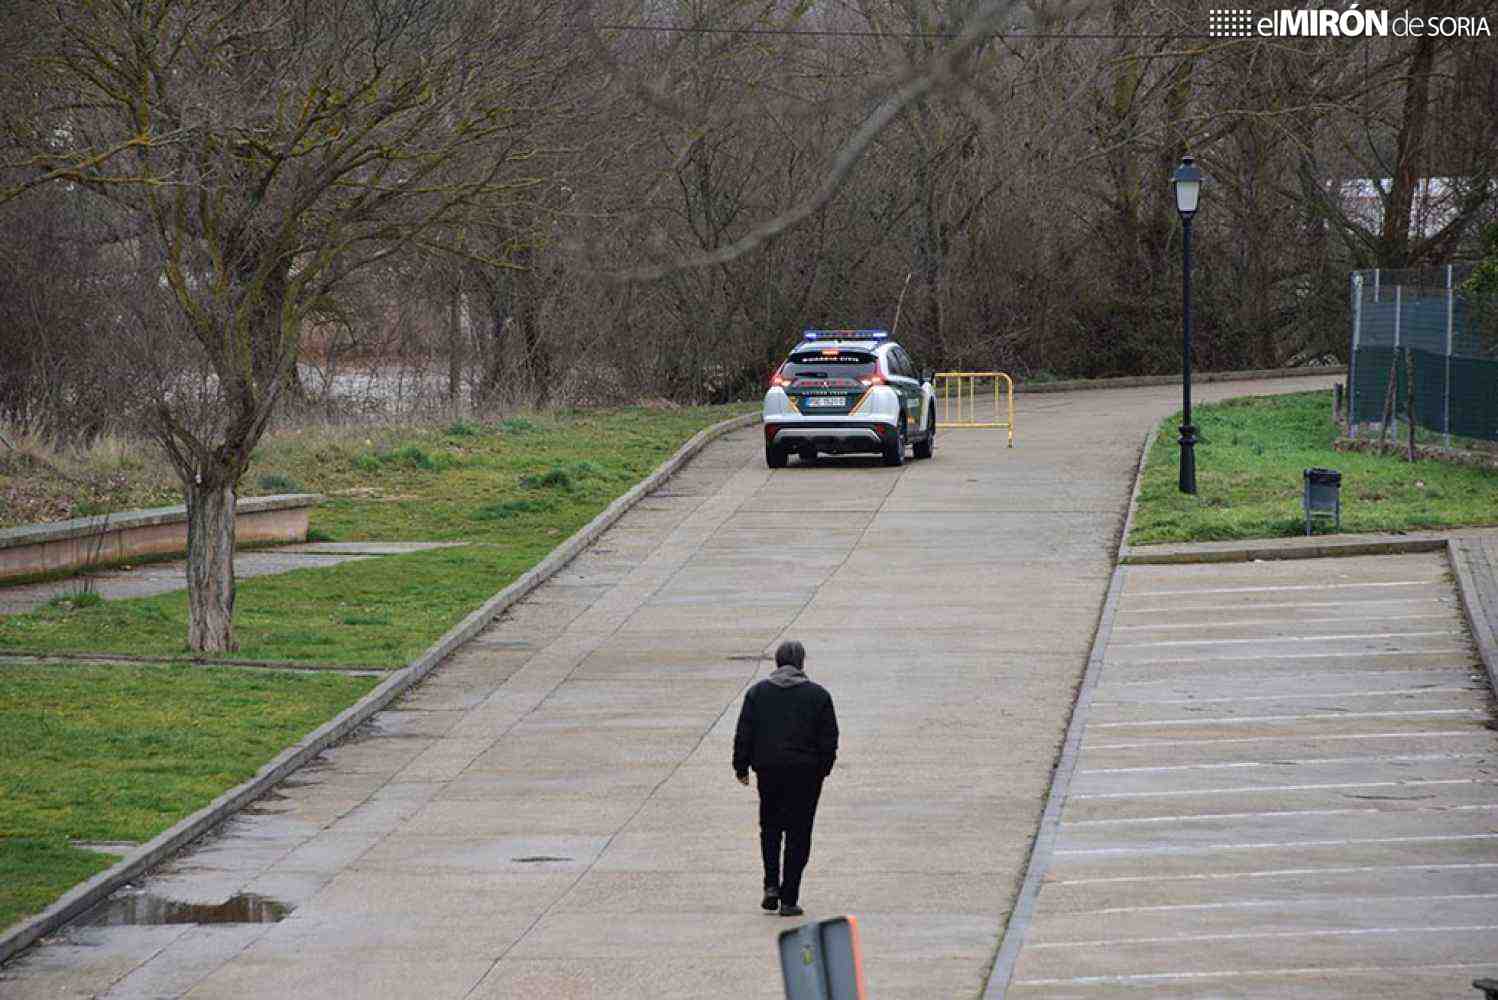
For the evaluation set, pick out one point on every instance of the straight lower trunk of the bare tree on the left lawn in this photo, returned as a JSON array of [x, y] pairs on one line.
[[210, 568]]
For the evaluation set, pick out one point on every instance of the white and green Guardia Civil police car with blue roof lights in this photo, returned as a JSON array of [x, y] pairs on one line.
[[849, 391]]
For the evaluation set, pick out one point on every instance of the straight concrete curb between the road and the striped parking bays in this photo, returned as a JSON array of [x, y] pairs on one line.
[[1024, 911]]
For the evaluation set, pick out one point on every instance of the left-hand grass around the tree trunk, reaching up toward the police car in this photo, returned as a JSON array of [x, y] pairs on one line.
[[513, 495]]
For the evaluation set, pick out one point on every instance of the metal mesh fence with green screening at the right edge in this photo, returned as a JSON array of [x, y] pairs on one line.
[[1413, 327]]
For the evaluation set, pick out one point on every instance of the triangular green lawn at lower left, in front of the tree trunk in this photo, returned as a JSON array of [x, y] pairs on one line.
[[121, 754]]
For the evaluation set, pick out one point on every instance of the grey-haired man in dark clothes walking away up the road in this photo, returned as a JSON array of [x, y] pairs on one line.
[[789, 734]]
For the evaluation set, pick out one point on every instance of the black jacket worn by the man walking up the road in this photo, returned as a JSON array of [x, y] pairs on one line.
[[786, 727]]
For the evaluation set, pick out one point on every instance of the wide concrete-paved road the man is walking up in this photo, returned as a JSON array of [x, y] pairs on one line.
[[554, 814]]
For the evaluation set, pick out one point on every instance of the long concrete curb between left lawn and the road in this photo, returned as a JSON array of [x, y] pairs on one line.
[[85, 897]]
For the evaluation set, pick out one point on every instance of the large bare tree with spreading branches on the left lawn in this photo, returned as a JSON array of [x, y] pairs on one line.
[[267, 153]]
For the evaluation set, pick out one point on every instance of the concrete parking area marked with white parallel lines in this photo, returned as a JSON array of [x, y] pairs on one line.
[[1288, 788]]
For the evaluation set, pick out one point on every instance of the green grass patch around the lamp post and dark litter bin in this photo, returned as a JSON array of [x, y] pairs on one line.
[[1250, 457]]
